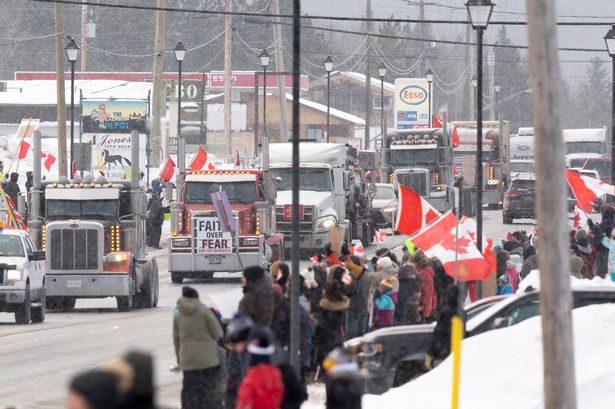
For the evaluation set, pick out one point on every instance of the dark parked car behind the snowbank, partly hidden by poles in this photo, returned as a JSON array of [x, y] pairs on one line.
[[395, 355]]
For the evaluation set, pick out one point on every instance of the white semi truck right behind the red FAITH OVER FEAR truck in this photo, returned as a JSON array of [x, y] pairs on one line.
[[332, 194]]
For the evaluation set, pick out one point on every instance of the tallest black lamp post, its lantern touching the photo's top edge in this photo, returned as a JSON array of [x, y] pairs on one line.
[[480, 13]]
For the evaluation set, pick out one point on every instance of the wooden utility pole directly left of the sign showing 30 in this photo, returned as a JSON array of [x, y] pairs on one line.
[[158, 91]]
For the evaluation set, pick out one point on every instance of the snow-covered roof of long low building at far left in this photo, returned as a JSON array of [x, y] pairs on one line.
[[43, 92]]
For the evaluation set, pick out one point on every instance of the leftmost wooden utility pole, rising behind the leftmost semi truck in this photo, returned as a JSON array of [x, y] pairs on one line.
[[61, 97]]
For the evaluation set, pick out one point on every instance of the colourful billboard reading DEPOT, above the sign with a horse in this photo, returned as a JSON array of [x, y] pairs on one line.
[[113, 116]]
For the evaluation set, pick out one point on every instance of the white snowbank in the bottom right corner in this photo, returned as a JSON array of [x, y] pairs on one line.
[[504, 368]]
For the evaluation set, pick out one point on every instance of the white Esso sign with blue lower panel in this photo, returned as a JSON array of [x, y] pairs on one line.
[[412, 102]]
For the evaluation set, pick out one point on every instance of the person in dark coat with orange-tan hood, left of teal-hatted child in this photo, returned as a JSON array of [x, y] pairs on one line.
[[357, 316]]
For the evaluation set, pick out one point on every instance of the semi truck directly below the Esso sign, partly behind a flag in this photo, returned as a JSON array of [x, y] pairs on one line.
[[421, 159]]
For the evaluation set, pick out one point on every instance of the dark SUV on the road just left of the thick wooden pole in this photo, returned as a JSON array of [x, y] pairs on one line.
[[520, 199]]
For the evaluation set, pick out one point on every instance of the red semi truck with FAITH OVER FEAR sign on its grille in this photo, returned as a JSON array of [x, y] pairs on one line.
[[199, 247]]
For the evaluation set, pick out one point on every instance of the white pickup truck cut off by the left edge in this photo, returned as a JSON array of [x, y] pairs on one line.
[[22, 277]]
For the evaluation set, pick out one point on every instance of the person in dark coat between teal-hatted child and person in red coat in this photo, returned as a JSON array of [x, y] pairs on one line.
[[408, 295]]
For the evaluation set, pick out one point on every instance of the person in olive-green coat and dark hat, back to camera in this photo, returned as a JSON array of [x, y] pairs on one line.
[[196, 332]]
